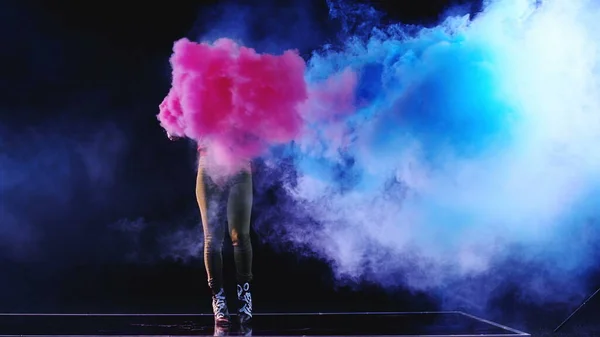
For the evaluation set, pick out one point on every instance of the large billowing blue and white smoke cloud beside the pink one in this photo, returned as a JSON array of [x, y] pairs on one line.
[[471, 162]]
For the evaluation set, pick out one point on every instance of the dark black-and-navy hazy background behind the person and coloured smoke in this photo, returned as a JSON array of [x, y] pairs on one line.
[[93, 193]]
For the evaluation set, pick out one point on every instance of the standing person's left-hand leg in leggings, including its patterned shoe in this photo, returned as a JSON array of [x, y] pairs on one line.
[[208, 195]]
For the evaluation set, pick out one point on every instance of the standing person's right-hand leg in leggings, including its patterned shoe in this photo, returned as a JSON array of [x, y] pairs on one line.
[[239, 209]]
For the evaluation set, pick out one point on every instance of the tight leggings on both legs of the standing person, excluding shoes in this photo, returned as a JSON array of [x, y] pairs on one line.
[[236, 195]]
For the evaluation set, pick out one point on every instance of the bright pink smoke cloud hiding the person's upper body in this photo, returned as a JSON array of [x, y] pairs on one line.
[[238, 102]]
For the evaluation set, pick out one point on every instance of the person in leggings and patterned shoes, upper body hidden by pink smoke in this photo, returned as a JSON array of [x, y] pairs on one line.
[[234, 196]]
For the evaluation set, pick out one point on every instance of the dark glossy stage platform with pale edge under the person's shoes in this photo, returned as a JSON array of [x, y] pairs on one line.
[[281, 324]]
